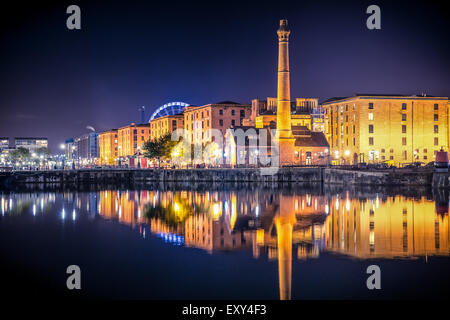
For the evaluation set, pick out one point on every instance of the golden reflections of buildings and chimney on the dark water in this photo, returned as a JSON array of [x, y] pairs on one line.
[[279, 226]]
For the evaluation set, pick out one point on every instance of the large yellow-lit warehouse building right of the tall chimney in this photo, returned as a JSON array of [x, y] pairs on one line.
[[378, 128]]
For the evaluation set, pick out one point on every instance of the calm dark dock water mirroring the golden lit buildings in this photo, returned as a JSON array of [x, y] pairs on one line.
[[230, 243]]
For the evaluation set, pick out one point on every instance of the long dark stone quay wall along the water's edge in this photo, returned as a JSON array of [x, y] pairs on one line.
[[305, 175]]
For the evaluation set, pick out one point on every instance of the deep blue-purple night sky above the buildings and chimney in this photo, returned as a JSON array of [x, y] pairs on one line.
[[55, 81]]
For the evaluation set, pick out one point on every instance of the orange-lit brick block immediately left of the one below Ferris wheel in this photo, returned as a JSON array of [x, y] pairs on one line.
[[131, 139]]
